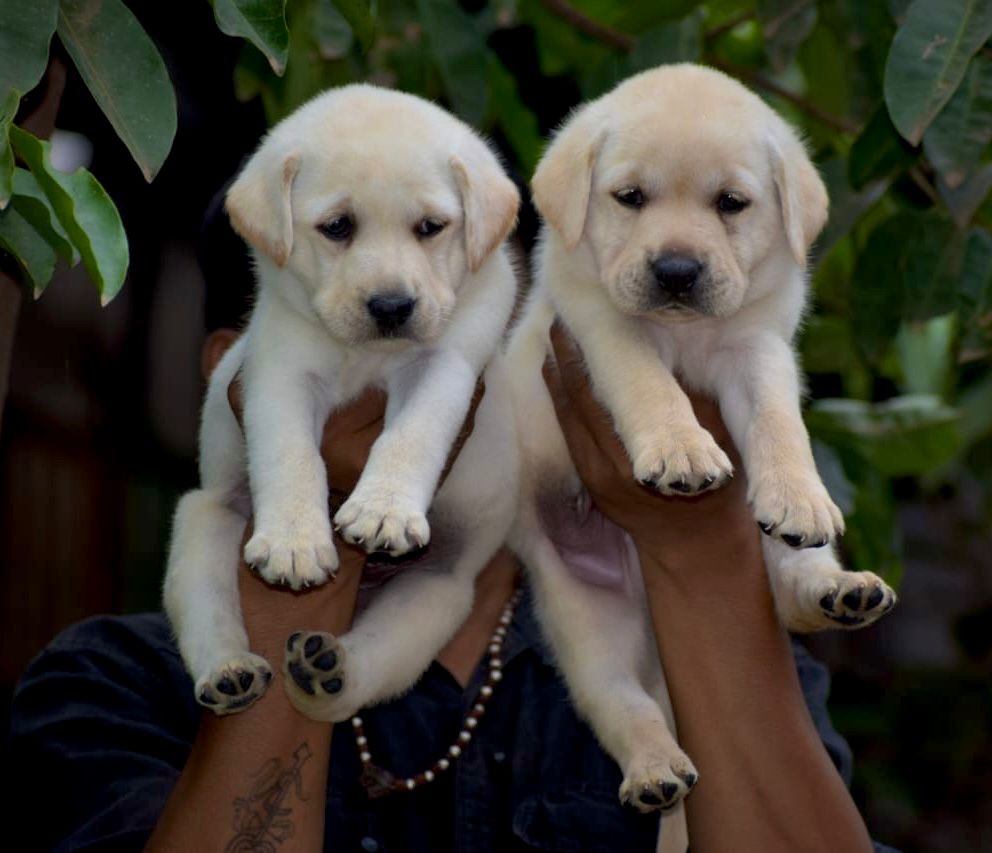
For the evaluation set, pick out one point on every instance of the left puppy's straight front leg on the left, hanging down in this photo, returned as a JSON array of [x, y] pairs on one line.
[[284, 412]]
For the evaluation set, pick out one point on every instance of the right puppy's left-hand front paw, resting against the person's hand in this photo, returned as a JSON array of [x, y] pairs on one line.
[[684, 461]]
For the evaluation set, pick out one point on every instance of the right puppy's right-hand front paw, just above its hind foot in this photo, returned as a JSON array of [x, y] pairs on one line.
[[796, 508]]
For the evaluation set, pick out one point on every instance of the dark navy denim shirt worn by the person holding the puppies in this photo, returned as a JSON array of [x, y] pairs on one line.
[[103, 721]]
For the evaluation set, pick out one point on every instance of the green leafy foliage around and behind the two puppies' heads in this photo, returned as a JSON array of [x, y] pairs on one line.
[[894, 97]]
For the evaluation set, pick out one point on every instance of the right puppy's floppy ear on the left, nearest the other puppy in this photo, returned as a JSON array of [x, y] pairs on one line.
[[563, 179]]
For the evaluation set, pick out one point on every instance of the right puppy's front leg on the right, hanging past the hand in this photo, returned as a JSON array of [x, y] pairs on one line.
[[758, 388]]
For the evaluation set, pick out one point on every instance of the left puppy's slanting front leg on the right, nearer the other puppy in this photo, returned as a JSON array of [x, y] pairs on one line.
[[428, 401]]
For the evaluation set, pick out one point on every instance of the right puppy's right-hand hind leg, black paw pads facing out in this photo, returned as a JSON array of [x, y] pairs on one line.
[[813, 592]]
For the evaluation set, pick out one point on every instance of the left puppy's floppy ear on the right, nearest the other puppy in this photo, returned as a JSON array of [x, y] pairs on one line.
[[490, 200]]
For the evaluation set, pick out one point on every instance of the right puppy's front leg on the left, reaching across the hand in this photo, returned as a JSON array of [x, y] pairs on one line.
[[668, 448]]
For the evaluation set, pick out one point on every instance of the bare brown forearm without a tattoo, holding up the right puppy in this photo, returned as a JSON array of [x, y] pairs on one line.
[[766, 781]]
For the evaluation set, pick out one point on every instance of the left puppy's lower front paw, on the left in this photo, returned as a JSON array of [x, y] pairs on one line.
[[299, 555]]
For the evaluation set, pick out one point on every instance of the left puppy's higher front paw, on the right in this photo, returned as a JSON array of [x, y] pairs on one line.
[[382, 520]]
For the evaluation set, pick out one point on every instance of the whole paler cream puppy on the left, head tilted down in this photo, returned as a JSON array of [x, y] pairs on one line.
[[377, 223]]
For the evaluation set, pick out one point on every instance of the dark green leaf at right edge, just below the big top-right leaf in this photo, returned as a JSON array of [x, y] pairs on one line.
[[961, 134]]
